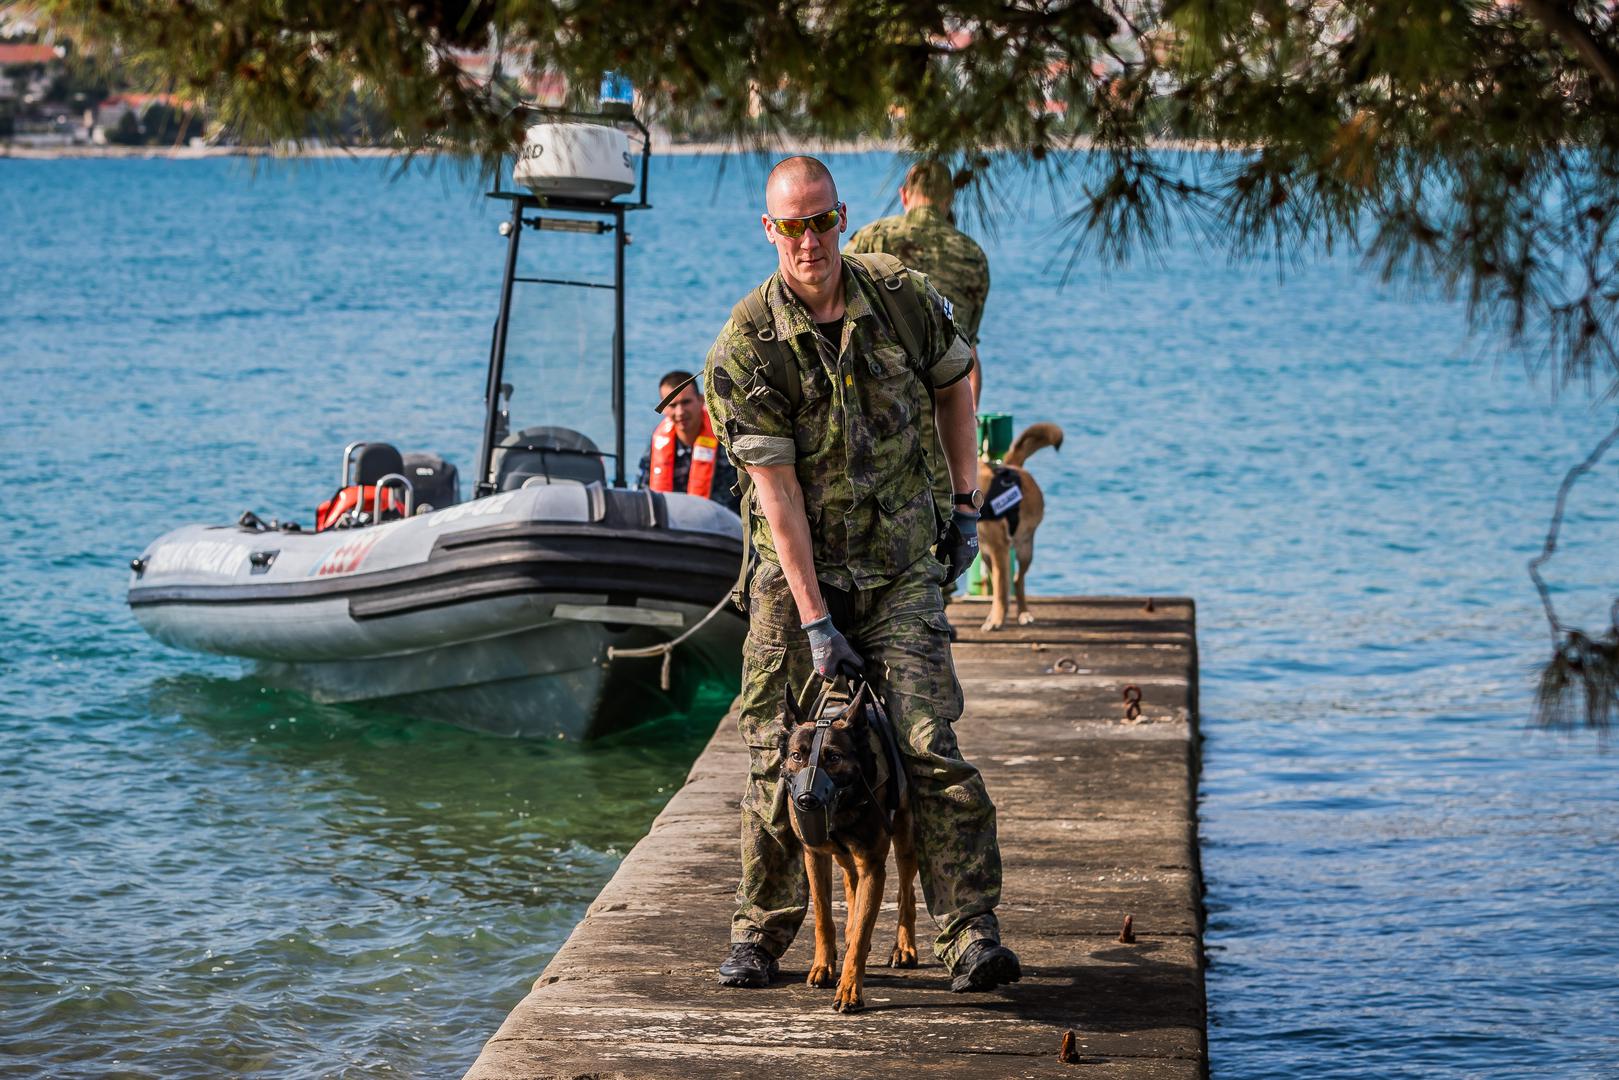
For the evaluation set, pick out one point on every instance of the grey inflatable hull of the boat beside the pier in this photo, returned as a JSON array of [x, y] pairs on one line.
[[499, 618]]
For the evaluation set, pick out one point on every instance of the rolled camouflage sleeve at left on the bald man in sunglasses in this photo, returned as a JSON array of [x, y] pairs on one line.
[[750, 417]]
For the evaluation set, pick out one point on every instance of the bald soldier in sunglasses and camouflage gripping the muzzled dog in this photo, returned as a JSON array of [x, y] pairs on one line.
[[846, 525]]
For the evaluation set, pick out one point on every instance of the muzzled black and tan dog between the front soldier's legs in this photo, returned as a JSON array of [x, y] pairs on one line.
[[848, 802]]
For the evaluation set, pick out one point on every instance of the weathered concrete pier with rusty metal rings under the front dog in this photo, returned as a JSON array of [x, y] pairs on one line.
[[1097, 817]]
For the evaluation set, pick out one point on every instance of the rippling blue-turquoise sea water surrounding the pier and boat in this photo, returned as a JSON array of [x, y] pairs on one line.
[[203, 877]]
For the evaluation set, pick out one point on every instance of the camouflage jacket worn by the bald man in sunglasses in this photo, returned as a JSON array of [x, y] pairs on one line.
[[857, 436]]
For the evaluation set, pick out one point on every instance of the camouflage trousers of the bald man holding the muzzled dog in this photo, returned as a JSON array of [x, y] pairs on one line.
[[903, 636]]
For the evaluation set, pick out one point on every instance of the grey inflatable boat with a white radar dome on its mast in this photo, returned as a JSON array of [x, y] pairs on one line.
[[512, 611]]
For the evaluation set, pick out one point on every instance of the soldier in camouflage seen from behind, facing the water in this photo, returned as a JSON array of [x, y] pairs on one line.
[[925, 239]]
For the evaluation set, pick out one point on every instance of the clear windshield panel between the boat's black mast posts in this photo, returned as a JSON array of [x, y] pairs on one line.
[[559, 339]]
